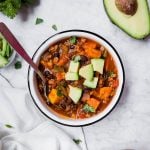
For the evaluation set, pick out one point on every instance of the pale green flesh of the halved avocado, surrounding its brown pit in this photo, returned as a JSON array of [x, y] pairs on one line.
[[137, 25]]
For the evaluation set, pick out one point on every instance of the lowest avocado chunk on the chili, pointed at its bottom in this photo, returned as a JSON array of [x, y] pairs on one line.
[[75, 93]]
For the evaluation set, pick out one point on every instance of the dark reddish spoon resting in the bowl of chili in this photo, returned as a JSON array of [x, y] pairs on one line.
[[20, 50]]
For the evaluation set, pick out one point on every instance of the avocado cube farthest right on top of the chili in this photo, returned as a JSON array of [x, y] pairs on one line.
[[98, 65]]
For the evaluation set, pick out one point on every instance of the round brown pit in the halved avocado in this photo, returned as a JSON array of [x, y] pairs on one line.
[[128, 7]]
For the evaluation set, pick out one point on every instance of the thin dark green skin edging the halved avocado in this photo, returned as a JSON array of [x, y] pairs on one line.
[[126, 31]]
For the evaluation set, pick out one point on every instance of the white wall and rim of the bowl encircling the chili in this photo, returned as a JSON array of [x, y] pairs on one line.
[[37, 97]]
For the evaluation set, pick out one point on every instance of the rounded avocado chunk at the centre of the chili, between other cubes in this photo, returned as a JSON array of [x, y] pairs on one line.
[[87, 72]]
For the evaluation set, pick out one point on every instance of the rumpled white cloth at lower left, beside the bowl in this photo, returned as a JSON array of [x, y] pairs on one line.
[[30, 130]]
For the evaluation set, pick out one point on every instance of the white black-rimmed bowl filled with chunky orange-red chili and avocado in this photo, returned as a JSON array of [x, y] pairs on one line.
[[85, 78]]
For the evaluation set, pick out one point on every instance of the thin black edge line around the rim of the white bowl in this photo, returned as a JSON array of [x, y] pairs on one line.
[[89, 32]]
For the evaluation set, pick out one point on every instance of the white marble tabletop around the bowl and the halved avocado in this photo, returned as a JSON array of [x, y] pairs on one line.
[[128, 126]]
